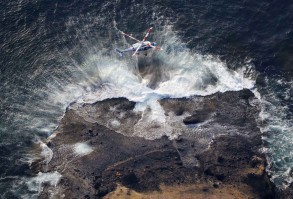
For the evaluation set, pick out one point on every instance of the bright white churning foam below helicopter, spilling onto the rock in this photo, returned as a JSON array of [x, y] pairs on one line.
[[175, 72]]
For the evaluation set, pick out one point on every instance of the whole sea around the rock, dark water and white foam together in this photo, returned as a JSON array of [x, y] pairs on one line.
[[53, 53]]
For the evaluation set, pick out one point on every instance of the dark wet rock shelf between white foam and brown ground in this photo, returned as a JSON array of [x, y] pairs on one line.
[[218, 143]]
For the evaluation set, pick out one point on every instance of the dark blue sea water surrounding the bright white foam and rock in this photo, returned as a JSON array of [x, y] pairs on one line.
[[40, 39]]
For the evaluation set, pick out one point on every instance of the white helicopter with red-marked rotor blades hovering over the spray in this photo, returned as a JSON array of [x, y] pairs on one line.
[[140, 45]]
